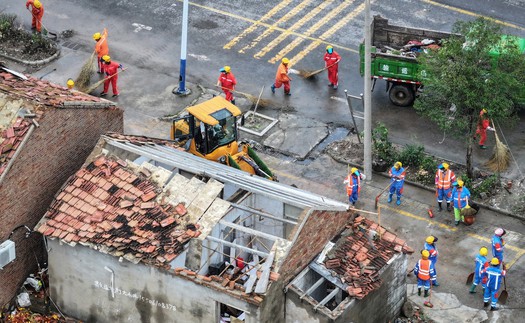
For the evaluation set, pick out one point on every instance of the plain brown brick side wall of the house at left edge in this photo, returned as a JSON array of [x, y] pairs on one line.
[[54, 151]]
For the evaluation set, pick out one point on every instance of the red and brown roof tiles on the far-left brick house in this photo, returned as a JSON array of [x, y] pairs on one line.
[[41, 94]]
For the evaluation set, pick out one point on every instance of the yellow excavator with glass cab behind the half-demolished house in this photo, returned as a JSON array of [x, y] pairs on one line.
[[209, 130]]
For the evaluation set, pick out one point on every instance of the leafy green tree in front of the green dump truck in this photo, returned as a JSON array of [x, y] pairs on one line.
[[474, 69]]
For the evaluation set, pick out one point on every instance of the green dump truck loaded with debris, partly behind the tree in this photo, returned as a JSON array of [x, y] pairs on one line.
[[394, 51]]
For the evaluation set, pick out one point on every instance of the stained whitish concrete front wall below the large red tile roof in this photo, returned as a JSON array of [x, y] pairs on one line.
[[81, 286]]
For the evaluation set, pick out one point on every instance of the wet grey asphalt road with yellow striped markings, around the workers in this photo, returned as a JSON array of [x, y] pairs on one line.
[[251, 36]]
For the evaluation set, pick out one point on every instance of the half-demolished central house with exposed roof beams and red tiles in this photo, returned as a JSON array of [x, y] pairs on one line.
[[146, 232]]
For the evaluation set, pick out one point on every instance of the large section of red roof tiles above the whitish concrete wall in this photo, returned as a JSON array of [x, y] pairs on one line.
[[107, 204]]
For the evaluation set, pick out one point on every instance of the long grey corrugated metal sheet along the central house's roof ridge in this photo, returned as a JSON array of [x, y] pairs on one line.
[[225, 174]]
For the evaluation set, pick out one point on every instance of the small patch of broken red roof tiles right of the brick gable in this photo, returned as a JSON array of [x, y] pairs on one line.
[[357, 258]]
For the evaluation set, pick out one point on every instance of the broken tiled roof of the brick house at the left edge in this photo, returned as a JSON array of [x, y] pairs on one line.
[[23, 101]]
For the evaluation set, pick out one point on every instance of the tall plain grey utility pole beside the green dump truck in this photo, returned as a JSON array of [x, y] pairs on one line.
[[368, 96]]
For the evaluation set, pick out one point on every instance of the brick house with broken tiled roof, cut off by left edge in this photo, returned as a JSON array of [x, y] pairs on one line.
[[46, 132]]
